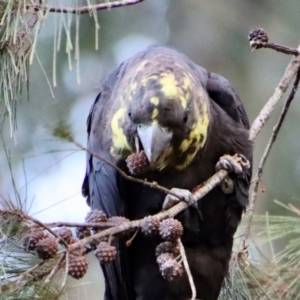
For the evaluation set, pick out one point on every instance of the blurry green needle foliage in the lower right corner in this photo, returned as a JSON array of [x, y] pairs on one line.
[[259, 275]]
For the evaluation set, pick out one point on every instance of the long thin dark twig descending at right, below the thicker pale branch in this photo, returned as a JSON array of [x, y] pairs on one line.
[[266, 153]]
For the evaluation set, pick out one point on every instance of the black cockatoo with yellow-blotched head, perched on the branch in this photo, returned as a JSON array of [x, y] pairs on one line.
[[185, 119]]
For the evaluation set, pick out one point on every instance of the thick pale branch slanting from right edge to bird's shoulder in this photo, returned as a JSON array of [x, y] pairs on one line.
[[266, 111]]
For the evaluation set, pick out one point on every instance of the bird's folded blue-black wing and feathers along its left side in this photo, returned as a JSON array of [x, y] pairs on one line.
[[101, 190]]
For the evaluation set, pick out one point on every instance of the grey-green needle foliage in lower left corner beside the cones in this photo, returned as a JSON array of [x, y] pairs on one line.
[[22, 274]]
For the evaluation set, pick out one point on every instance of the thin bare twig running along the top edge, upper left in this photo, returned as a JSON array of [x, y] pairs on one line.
[[83, 9]]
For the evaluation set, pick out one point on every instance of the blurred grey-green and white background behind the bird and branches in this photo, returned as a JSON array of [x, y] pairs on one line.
[[48, 172]]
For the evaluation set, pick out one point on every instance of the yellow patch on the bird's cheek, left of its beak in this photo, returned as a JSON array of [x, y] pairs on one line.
[[119, 140]]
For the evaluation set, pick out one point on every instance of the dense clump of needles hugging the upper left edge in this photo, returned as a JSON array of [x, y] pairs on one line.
[[16, 25]]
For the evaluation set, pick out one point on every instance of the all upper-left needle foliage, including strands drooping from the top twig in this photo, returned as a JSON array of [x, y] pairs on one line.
[[20, 24]]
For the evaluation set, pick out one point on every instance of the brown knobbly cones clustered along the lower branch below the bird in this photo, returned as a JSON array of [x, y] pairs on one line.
[[46, 245]]
